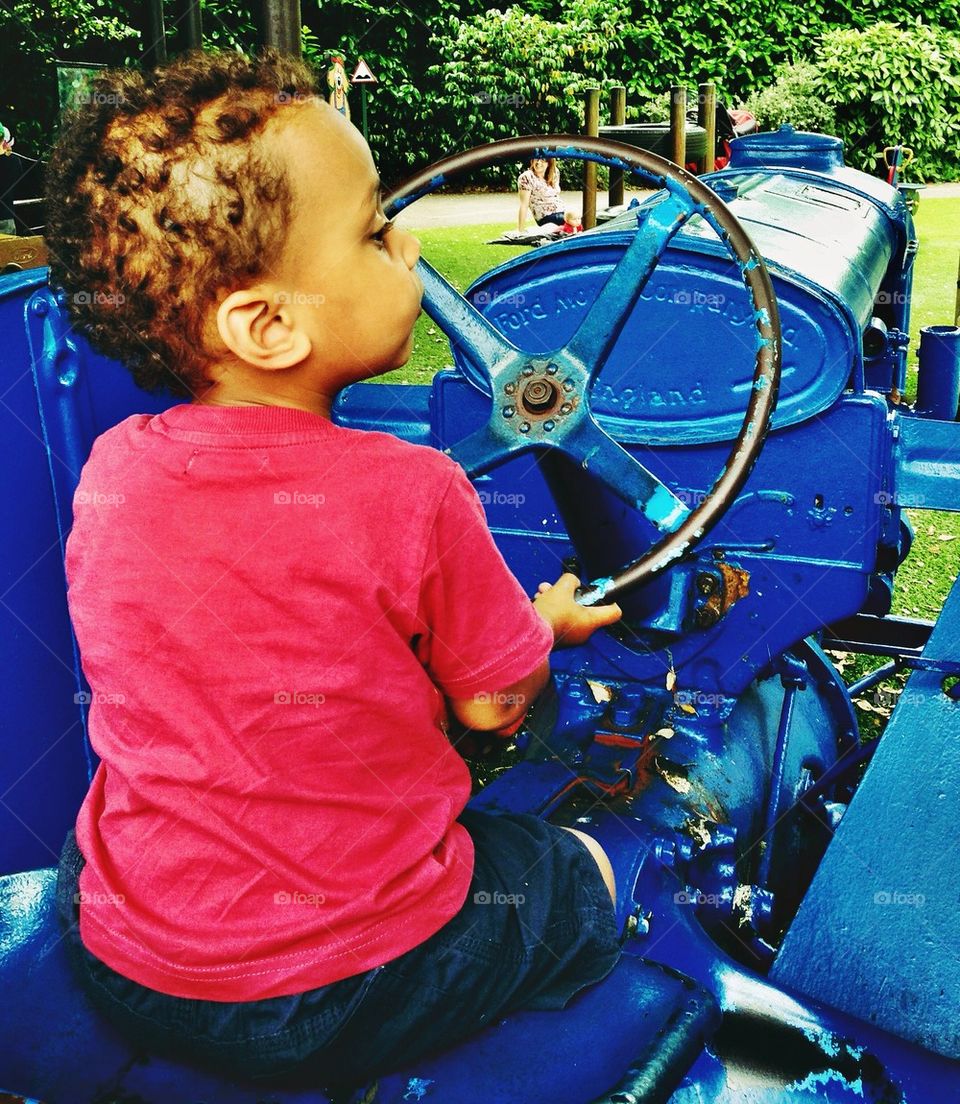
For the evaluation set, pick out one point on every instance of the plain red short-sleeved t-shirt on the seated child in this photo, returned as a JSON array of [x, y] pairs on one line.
[[266, 606]]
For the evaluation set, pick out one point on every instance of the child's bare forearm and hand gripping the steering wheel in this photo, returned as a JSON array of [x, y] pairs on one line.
[[572, 624]]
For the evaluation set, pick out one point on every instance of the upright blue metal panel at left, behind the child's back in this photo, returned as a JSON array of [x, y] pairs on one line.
[[58, 397]]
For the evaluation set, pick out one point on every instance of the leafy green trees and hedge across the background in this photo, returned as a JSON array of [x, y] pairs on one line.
[[454, 75]]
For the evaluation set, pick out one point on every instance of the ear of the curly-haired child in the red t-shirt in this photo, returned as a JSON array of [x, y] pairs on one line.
[[261, 331]]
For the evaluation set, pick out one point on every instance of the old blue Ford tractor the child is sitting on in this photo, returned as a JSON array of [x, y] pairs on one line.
[[698, 408]]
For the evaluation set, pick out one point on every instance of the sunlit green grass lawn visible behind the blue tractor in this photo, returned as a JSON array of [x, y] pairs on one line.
[[461, 253]]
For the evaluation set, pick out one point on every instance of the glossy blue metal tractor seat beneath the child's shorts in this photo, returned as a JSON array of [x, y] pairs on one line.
[[55, 1047]]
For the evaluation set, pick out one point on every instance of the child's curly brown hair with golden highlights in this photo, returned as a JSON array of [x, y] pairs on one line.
[[158, 199]]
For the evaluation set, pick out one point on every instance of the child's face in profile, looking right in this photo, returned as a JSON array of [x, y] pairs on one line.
[[346, 275]]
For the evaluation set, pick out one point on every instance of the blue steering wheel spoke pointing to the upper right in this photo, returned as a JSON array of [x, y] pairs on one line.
[[599, 332]]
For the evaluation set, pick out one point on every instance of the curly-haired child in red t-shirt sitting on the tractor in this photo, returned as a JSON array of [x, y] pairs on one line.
[[274, 872]]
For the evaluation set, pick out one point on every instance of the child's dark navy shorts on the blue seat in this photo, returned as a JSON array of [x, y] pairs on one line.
[[538, 927]]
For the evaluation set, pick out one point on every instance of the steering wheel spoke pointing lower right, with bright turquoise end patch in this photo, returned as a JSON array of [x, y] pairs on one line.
[[595, 451]]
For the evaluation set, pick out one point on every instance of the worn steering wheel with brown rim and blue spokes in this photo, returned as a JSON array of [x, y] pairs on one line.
[[543, 401]]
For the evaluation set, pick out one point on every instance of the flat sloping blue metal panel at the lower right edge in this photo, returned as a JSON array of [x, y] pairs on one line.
[[889, 882]]
